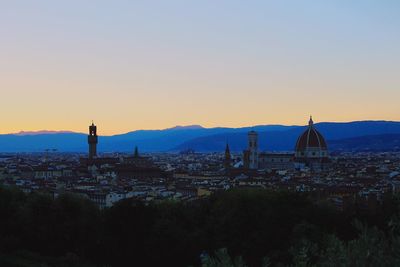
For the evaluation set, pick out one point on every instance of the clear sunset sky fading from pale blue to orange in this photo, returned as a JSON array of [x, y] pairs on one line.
[[155, 64]]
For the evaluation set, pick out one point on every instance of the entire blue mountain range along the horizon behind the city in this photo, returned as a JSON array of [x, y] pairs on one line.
[[348, 136]]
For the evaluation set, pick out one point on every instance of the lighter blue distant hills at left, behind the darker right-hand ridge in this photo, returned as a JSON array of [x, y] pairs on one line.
[[146, 140]]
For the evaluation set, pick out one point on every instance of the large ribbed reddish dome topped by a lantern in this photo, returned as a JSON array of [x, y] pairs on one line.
[[311, 139]]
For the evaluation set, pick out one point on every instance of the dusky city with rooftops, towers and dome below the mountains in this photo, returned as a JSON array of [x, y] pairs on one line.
[[348, 180]]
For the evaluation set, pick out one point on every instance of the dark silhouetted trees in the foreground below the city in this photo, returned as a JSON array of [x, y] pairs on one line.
[[256, 227]]
